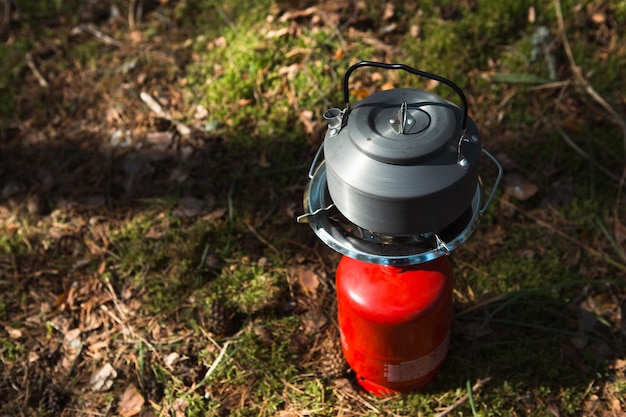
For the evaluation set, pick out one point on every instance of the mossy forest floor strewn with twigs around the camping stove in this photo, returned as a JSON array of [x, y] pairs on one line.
[[153, 159]]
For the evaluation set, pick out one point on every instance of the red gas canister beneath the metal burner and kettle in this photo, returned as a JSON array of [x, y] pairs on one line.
[[394, 321]]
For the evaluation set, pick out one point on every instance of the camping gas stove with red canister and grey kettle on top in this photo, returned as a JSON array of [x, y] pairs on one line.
[[395, 189]]
